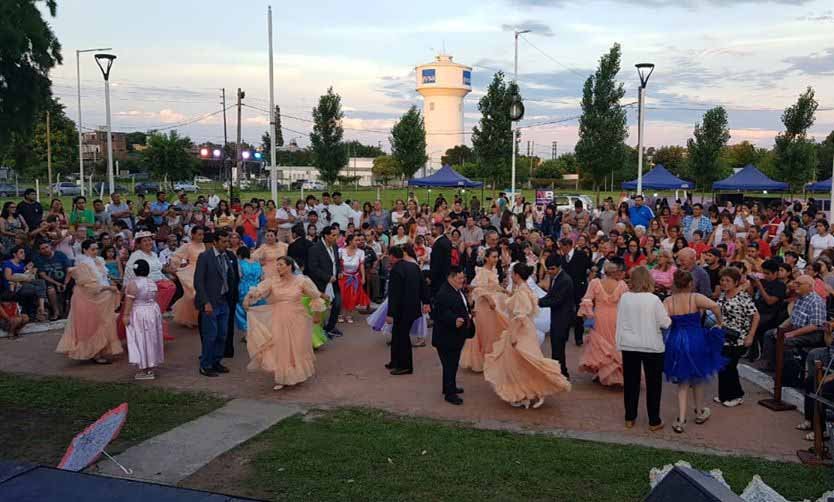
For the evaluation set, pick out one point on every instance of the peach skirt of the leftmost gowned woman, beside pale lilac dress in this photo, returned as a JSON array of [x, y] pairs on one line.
[[91, 326]]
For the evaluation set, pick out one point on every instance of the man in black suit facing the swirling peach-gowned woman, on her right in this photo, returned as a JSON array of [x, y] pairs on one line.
[[560, 300]]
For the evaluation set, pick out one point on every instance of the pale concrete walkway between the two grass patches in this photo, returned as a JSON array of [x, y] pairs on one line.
[[174, 455]]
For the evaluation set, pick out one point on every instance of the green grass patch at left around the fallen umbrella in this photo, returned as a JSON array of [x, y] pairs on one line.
[[39, 416]]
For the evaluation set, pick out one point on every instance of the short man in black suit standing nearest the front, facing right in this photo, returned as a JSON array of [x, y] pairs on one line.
[[452, 326]]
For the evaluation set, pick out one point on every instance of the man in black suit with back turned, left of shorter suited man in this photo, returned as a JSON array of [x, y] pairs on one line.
[[406, 289]]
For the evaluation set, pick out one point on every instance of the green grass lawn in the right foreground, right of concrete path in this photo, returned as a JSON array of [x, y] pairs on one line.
[[369, 455]]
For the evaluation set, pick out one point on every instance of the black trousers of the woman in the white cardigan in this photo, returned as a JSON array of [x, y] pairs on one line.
[[652, 364]]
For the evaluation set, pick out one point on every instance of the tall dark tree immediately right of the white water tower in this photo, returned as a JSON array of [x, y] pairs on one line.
[[492, 138]]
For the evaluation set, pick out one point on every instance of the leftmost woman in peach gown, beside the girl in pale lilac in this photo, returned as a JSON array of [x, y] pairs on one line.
[[90, 333]]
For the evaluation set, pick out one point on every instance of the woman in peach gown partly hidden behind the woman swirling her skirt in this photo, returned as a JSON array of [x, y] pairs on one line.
[[488, 297]]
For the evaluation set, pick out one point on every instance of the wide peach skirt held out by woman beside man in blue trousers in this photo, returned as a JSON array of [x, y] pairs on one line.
[[279, 341]]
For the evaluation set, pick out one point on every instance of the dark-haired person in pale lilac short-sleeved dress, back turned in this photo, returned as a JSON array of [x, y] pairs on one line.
[[143, 320]]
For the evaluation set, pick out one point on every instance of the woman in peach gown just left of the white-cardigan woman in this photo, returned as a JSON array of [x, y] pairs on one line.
[[601, 357]]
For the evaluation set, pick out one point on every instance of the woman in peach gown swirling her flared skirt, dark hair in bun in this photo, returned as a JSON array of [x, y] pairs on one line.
[[516, 368]]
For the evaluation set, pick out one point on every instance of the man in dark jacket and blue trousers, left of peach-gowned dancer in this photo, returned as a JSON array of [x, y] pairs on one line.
[[213, 284]]
